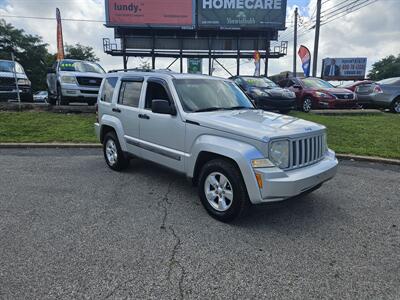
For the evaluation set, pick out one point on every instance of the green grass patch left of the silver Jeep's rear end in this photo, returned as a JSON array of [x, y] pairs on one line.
[[42, 127]]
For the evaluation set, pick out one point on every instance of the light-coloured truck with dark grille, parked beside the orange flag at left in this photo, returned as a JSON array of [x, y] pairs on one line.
[[71, 80]]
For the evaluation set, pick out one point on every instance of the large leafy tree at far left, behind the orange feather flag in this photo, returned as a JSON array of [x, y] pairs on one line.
[[29, 50]]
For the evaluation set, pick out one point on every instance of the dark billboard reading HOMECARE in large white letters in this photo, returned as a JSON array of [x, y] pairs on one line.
[[237, 14]]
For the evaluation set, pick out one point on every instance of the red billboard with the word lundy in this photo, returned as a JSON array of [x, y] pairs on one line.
[[150, 13]]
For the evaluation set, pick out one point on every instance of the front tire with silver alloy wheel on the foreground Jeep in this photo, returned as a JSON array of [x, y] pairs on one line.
[[219, 178]]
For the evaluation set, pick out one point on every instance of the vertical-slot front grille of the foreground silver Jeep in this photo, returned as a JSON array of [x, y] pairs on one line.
[[306, 151]]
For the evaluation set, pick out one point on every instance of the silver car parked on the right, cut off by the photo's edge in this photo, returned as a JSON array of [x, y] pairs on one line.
[[384, 93]]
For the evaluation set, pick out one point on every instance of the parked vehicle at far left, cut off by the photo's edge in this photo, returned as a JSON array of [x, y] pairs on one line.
[[8, 88]]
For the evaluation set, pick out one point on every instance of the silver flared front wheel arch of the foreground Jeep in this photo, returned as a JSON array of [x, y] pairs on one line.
[[241, 152]]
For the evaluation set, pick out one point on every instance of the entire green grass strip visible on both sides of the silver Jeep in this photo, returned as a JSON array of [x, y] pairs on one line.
[[371, 135]]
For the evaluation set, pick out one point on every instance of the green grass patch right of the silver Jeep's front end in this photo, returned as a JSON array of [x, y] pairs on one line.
[[370, 135]]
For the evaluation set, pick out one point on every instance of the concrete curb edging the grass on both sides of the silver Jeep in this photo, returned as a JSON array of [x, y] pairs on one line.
[[98, 145]]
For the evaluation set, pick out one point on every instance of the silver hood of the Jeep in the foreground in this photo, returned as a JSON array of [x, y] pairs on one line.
[[255, 124]]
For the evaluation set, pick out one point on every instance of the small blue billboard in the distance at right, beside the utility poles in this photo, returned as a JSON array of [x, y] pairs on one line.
[[344, 68]]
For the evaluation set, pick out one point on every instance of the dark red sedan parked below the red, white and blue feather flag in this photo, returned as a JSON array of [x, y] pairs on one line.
[[315, 93]]
